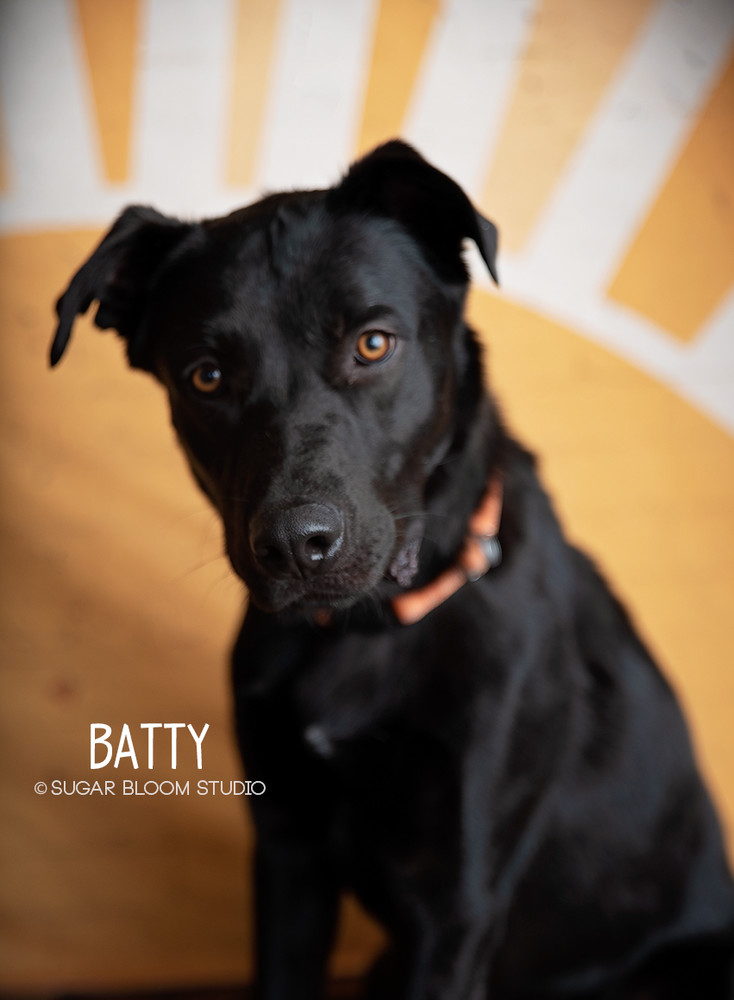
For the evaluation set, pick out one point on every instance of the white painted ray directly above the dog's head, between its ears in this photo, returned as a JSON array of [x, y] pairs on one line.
[[319, 77]]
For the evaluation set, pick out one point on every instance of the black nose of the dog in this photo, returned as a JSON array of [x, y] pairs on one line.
[[297, 541]]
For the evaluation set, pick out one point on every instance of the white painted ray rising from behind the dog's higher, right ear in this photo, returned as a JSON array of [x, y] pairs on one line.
[[465, 85]]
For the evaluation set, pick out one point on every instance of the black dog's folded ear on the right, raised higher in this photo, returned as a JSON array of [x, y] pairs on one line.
[[394, 180]]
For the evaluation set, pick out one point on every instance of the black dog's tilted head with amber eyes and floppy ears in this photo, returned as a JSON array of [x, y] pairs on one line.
[[315, 357]]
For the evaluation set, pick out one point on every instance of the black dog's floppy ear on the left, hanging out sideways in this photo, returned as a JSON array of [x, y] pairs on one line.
[[119, 275]]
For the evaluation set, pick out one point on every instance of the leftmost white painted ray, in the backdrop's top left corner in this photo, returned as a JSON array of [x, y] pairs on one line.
[[52, 151]]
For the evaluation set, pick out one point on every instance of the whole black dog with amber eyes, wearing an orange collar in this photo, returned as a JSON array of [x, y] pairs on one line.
[[452, 714]]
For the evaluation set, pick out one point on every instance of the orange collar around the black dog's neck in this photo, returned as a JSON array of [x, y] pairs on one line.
[[480, 553]]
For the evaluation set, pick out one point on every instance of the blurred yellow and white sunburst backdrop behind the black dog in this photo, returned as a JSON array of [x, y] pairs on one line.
[[598, 134]]
